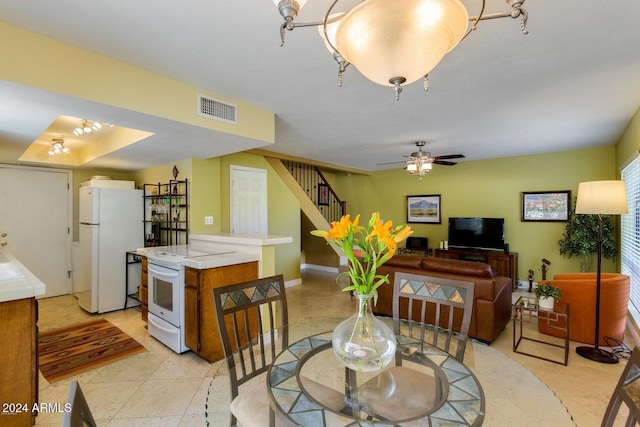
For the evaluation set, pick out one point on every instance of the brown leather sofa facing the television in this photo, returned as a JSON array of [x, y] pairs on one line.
[[492, 299]]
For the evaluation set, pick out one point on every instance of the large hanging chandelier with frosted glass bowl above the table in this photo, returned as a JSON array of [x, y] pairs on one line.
[[394, 44]]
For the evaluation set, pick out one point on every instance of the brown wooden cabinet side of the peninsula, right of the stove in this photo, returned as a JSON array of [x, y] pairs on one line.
[[201, 326]]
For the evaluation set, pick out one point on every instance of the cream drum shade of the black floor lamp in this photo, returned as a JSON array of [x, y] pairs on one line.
[[602, 197]]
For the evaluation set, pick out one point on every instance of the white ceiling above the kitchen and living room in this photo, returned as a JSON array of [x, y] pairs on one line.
[[572, 82]]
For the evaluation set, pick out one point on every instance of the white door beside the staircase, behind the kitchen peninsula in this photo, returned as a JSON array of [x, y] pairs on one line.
[[248, 201]]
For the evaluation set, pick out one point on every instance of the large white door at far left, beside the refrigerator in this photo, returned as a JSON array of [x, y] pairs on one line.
[[35, 214]]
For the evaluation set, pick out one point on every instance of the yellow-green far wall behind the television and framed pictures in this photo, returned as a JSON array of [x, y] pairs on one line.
[[487, 188]]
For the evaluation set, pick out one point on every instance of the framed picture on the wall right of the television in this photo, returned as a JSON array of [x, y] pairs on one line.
[[546, 206]]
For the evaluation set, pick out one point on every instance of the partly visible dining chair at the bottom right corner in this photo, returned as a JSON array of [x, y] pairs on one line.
[[628, 391]]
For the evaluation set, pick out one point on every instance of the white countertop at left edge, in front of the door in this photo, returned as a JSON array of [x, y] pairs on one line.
[[16, 282]]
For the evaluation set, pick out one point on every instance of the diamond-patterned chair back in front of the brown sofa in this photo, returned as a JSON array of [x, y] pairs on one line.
[[442, 308]]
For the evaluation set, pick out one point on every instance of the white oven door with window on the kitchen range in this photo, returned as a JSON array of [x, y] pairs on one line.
[[165, 285]]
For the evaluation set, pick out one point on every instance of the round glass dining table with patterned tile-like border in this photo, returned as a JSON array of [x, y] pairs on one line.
[[308, 386]]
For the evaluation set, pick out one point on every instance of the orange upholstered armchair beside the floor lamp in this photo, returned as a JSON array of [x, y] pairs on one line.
[[579, 291]]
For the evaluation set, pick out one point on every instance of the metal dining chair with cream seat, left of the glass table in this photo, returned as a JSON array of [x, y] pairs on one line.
[[250, 317]]
